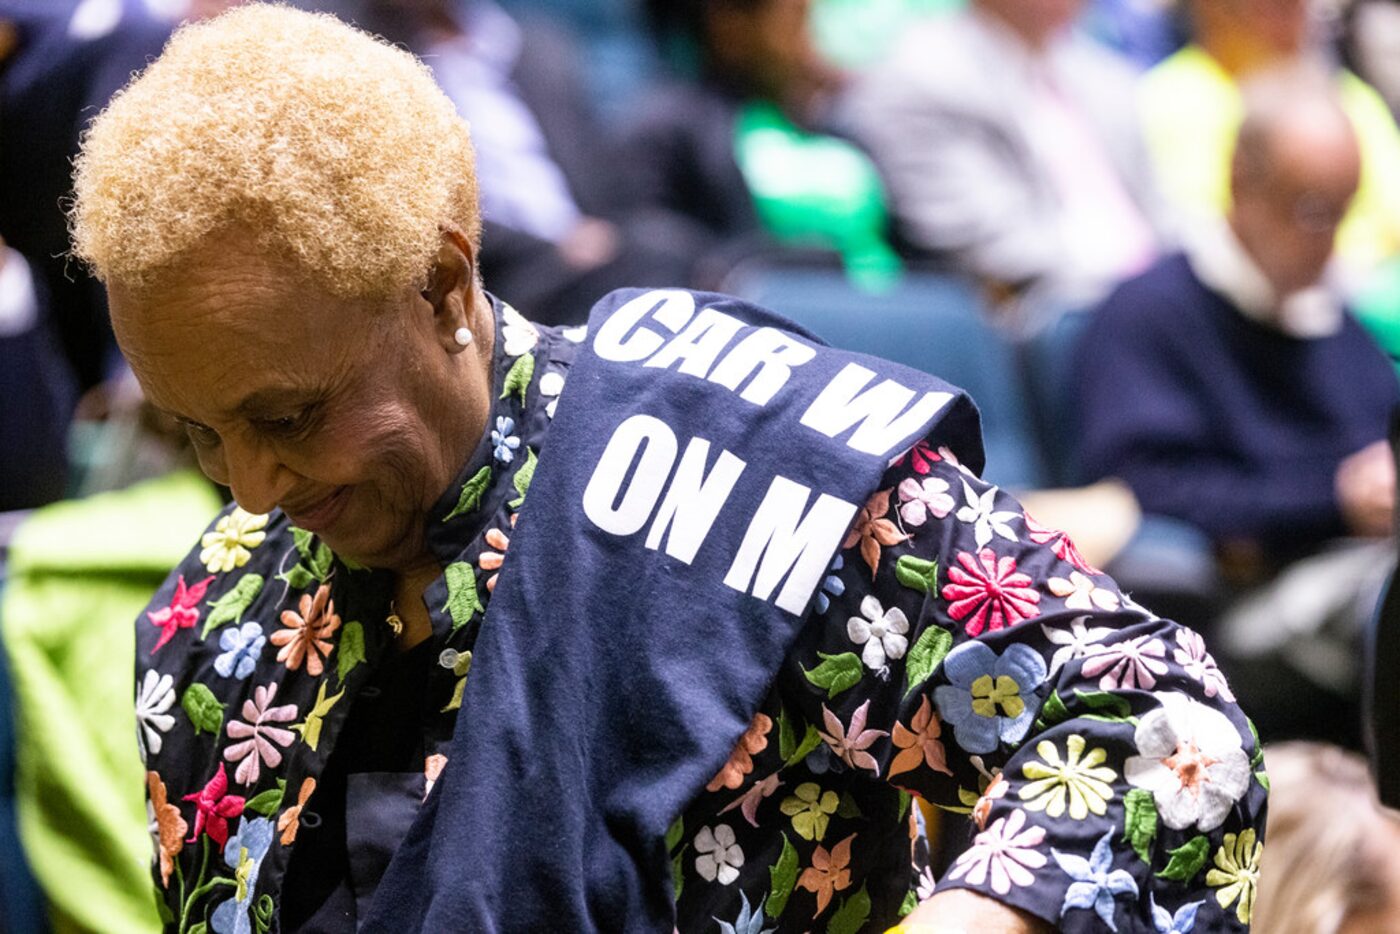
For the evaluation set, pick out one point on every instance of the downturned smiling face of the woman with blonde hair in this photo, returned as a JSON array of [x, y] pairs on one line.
[[351, 417]]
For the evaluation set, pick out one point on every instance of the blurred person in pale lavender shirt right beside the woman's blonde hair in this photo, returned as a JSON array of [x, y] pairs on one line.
[[558, 232]]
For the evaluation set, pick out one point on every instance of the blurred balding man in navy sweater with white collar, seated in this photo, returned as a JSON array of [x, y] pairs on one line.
[[1231, 389]]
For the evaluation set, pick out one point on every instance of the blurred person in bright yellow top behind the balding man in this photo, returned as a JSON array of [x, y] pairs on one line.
[[1192, 110]]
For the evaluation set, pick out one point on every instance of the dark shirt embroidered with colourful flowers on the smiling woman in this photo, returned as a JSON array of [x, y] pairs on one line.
[[958, 652]]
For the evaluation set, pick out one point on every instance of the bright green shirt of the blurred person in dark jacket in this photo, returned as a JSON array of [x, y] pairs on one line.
[[813, 190]]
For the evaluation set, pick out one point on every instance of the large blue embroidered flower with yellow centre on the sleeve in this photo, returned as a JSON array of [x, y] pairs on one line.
[[990, 698]]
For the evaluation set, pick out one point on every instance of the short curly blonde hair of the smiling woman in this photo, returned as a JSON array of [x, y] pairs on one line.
[[334, 149]]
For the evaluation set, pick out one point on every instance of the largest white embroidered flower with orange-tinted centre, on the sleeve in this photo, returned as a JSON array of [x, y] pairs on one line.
[[1192, 761]]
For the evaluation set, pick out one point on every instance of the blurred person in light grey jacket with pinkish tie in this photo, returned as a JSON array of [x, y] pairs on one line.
[[1011, 149]]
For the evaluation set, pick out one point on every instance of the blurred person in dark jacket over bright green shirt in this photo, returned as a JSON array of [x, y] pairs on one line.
[[738, 152]]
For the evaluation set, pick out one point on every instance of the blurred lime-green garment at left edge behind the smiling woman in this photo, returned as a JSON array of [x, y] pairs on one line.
[[79, 575]]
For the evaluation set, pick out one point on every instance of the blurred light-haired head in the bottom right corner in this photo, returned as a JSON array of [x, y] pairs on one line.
[[1332, 862]]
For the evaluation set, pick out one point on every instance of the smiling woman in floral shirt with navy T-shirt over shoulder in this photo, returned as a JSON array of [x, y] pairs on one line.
[[757, 597]]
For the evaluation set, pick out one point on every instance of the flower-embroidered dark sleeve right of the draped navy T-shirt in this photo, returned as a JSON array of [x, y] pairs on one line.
[[974, 659]]
